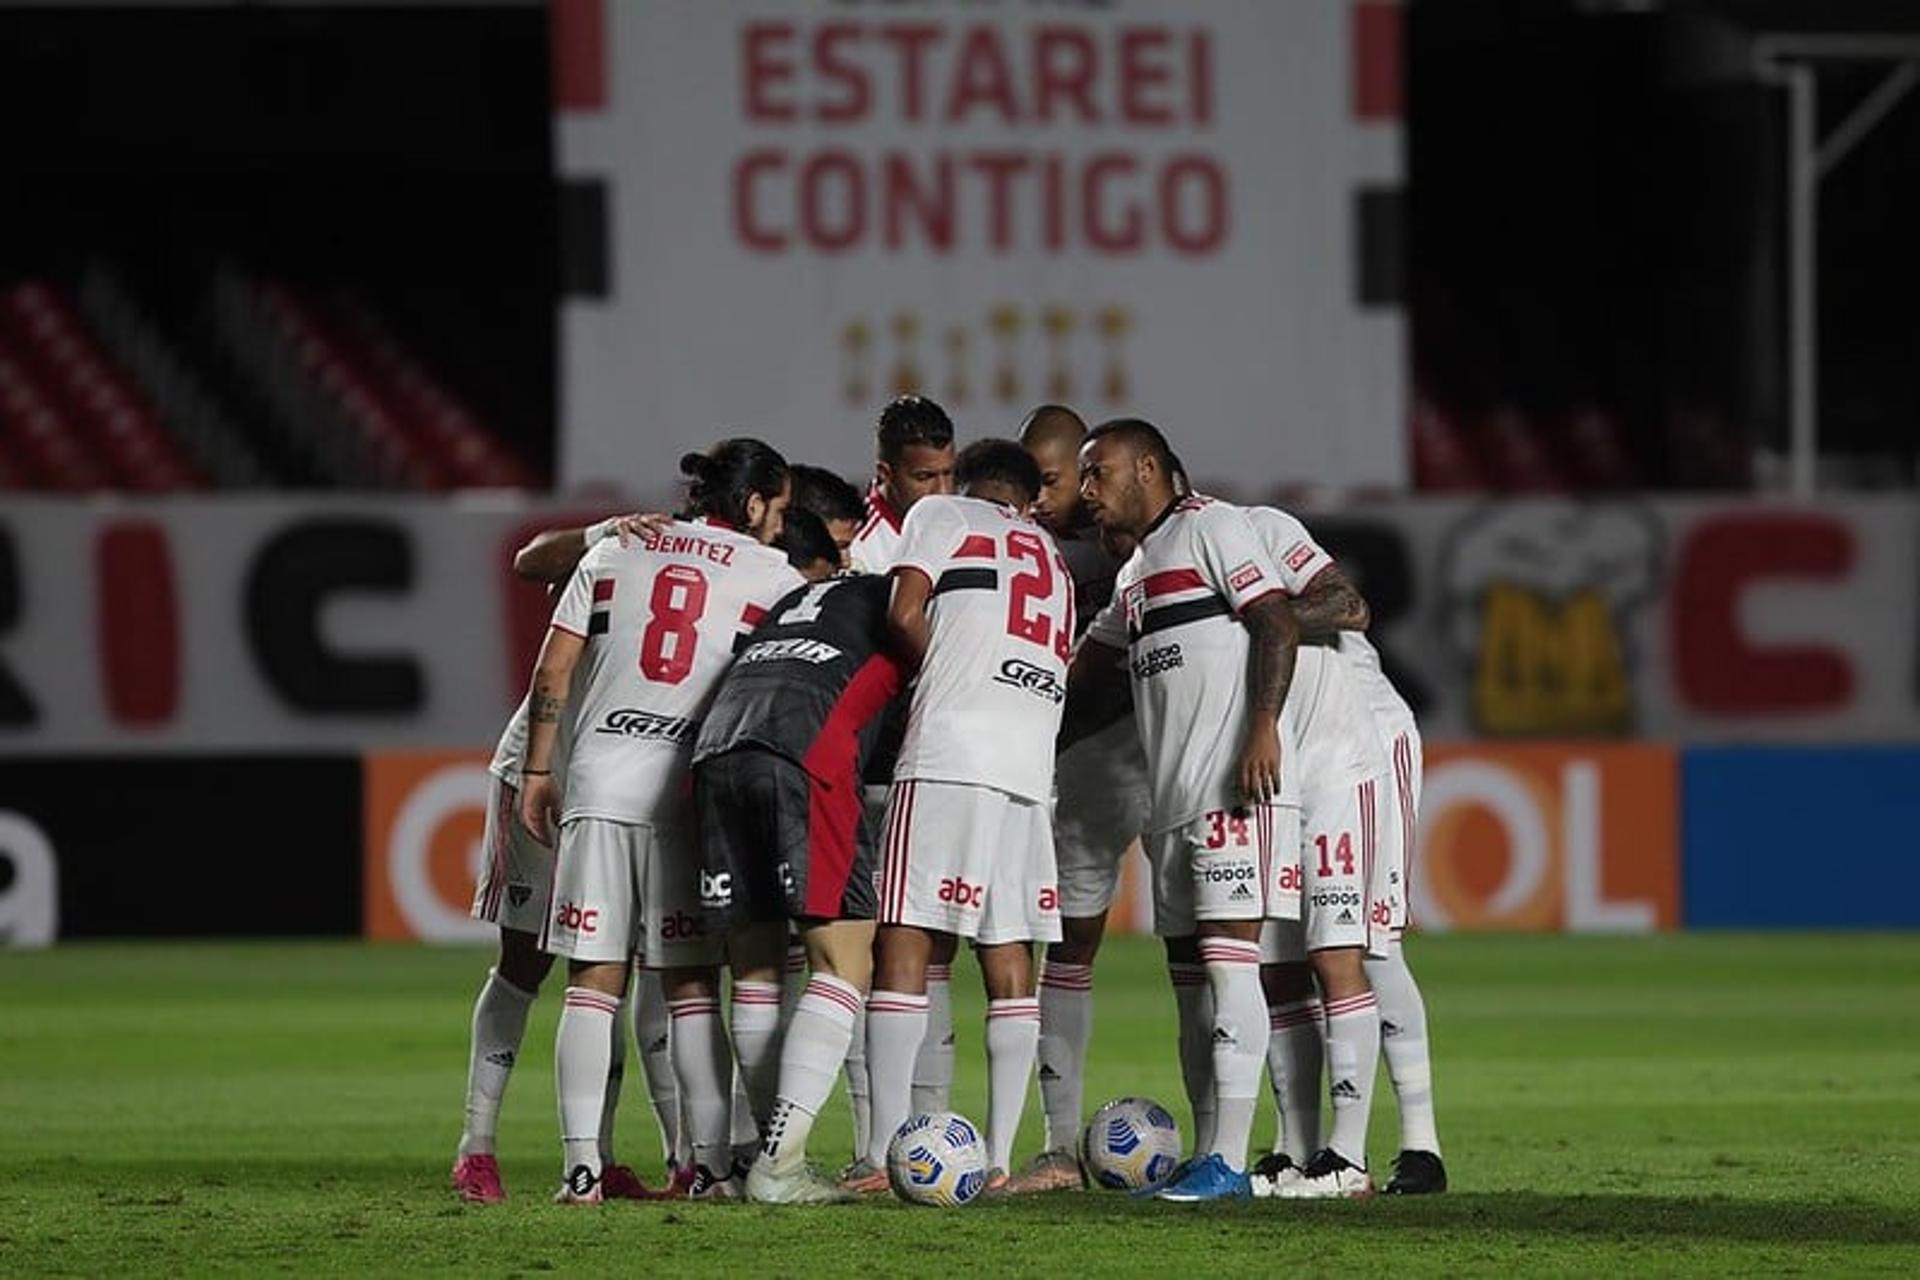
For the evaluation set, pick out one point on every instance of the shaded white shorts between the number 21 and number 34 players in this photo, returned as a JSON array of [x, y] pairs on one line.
[[1101, 805]]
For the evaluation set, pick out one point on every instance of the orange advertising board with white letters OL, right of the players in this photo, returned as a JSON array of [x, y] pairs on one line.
[[1577, 838]]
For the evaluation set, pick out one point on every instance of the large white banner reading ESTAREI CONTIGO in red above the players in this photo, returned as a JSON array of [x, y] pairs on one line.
[[792, 210]]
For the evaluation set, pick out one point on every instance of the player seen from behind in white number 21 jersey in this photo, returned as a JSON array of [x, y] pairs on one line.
[[984, 613]]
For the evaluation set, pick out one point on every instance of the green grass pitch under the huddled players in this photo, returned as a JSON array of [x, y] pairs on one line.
[[1681, 1104]]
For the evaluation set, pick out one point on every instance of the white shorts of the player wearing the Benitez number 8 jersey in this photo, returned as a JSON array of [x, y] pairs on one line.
[[629, 891]]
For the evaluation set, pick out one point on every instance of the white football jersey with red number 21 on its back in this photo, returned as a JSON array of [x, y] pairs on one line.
[[988, 699]]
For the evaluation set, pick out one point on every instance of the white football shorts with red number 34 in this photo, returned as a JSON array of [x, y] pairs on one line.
[[1226, 865]]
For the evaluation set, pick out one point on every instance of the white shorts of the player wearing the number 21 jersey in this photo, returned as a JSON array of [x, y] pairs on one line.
[[969, 861]]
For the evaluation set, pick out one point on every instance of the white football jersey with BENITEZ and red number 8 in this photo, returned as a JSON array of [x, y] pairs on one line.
[[661, 617]]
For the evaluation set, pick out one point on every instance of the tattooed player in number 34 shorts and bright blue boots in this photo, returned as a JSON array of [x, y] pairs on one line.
[[1201, 630]]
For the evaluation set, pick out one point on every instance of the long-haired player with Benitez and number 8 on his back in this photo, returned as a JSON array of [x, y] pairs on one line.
[[652, 628]]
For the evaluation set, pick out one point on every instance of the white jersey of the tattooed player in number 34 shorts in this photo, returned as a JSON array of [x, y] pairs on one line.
[[1176, 613]]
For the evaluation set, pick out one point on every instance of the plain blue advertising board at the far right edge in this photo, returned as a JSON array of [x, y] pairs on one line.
[[1802, 838]]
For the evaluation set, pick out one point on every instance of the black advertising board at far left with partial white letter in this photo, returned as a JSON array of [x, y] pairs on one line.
[[99, 847]]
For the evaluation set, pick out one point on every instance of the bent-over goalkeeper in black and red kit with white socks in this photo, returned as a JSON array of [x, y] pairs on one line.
[[786, 838]]
